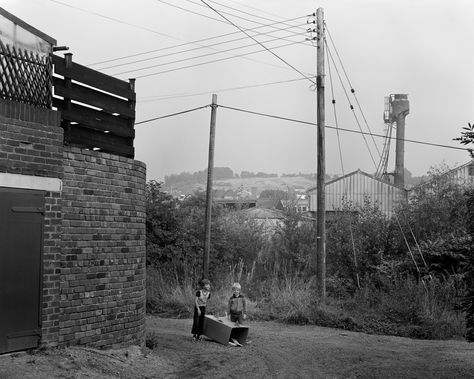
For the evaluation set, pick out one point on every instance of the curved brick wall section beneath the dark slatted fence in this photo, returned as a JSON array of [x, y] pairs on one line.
[[103, 250]]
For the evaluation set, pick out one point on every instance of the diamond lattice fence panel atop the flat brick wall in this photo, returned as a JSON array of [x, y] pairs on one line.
[[25, 77]]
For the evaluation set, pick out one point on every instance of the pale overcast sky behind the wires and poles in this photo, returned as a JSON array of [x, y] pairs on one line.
[[183, 51]]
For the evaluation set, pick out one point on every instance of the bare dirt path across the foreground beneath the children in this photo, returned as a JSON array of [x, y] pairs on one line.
[[275, 351]]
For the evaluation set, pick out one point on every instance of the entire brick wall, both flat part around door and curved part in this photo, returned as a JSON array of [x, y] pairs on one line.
[[93, 289]]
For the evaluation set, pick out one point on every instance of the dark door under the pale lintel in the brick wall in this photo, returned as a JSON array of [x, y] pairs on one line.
[[21, 231]]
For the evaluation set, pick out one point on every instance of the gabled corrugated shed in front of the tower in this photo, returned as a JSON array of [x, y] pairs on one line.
[[356, 188]]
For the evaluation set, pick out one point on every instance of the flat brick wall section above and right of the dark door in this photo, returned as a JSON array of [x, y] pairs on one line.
[[31, 143]]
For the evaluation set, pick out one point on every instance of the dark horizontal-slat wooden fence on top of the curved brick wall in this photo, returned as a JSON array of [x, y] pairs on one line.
[[97, 110]]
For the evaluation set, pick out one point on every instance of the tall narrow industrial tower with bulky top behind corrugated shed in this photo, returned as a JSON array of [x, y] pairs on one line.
[[397, 107]]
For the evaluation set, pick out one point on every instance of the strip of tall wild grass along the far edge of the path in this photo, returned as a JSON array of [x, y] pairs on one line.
[[401, 306]]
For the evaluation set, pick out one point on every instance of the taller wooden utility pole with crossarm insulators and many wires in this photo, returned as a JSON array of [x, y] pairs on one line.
[[321, 173]]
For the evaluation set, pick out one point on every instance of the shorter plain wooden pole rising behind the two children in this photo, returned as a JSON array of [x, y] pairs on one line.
[[210, 173]]
